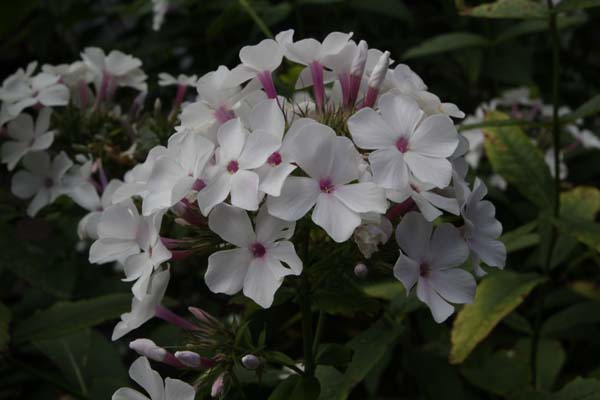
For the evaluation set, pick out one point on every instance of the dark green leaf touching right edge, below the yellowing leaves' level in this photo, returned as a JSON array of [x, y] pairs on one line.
[[562, 322]]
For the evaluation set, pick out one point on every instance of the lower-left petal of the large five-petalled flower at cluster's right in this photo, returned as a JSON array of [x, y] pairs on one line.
[[389, 168]]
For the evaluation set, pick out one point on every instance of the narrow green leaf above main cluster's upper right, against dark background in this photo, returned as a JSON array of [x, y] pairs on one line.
[[446, 42]]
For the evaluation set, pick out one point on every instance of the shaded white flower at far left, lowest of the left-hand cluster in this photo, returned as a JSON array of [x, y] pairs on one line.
[[41, 179]]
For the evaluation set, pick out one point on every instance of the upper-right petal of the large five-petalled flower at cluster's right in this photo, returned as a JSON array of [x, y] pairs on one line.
[[436, 137]]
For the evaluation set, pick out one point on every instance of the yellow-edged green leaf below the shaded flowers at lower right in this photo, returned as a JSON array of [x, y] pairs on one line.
[[497, 296]]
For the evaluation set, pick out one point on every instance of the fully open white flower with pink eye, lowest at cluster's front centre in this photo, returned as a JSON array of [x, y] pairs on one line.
[[256, 264]]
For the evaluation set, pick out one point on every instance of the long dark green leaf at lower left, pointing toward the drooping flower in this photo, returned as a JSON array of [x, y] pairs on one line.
[[68, 317]]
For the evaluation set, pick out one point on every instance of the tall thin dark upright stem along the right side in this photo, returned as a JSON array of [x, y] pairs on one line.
[[556, 203]]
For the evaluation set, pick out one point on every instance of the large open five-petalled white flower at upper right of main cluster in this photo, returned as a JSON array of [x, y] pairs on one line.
[[405, 140]]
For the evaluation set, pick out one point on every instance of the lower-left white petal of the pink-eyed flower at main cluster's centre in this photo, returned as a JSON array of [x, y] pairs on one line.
[[298, 195]]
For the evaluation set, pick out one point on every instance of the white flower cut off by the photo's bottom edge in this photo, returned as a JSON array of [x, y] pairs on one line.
[[157, 389]]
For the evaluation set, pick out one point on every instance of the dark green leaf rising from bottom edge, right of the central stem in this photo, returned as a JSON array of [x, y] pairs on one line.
[[369, 348]]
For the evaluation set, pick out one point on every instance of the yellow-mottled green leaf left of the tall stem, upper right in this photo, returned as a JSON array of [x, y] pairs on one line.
[[519, 161]]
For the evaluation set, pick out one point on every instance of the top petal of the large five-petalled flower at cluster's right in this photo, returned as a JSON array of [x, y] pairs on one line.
[[400, 112]]
